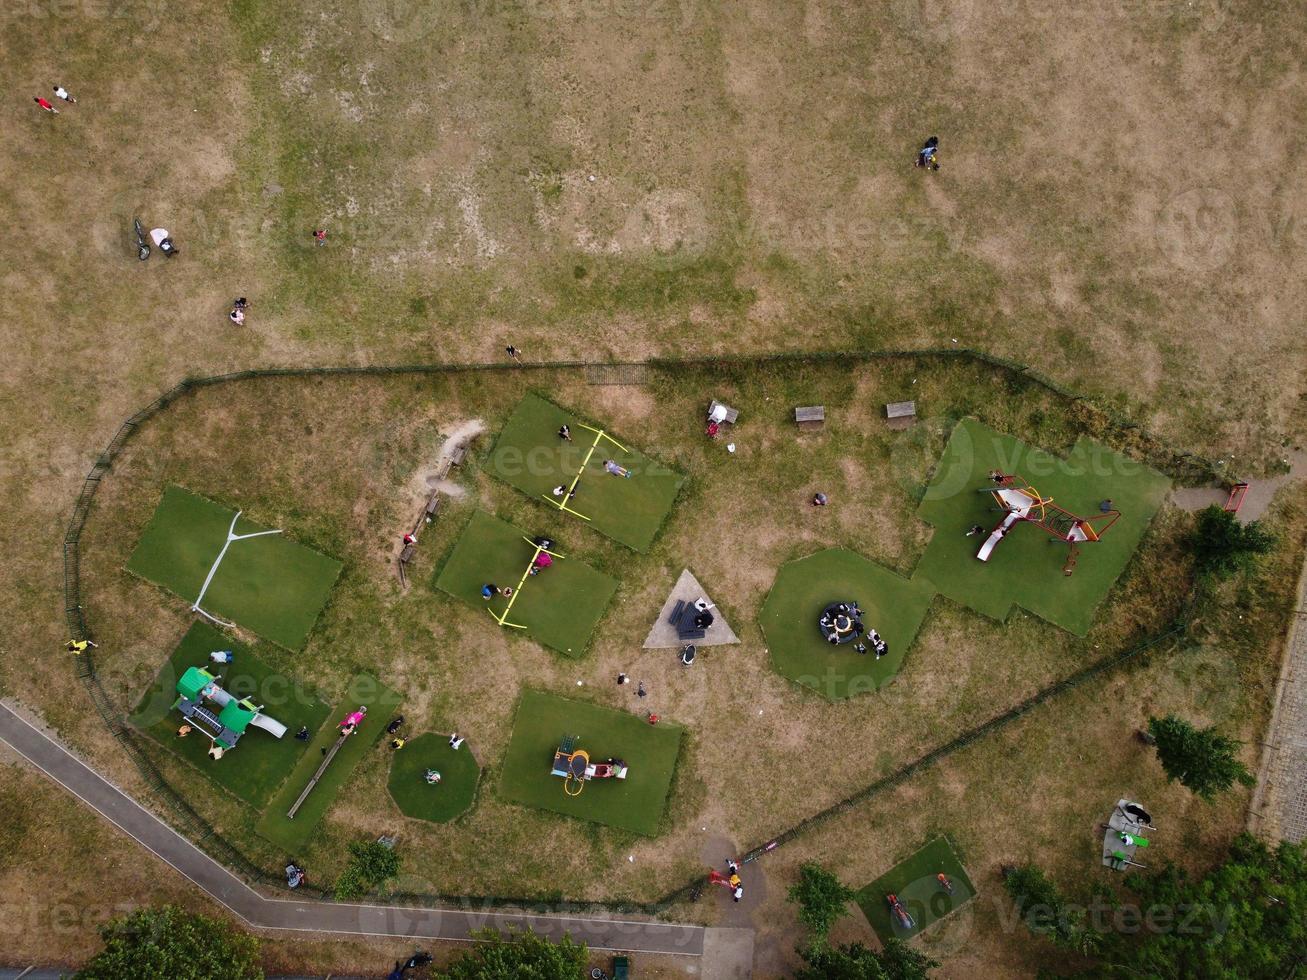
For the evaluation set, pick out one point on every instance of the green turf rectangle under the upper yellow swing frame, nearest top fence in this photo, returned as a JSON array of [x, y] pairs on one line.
[[533, 458]]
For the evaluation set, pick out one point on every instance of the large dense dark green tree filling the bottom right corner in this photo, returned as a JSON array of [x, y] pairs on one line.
[[1245, 919]]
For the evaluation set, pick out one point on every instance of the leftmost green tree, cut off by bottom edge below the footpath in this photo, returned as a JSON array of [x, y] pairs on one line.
[[176, 944]]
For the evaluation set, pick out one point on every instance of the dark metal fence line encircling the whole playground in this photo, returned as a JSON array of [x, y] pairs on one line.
[[199, 830]]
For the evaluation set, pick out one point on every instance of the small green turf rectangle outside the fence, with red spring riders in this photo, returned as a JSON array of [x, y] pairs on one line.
[[918, 889]]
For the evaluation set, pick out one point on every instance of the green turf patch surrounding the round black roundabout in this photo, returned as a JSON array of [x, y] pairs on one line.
[[892, 606]]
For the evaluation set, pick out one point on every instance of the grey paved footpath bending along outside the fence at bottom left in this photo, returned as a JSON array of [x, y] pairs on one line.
[[340, 919]]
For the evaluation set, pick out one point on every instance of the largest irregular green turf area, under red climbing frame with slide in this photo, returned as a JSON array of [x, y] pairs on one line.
[[1027, 568]]
